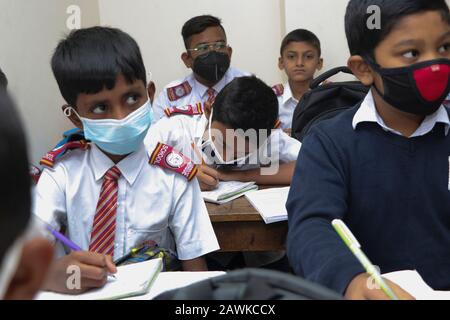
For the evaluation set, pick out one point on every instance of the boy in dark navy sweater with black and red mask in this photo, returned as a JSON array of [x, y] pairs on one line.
[[383, 166]]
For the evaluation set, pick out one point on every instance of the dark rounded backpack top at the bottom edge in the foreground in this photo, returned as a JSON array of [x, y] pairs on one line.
[[252, 284]]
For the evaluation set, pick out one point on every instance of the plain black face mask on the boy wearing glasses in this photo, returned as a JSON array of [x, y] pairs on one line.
[[212, 66]]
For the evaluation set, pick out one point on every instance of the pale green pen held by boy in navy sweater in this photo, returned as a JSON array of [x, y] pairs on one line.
[[349, 239]]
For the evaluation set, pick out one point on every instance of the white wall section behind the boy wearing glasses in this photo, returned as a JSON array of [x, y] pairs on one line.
[[253, 27]]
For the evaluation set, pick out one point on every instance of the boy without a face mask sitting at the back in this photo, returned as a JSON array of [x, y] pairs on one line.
[[300, 58]]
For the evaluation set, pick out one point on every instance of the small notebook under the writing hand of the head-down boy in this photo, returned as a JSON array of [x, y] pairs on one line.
[[228, 191]]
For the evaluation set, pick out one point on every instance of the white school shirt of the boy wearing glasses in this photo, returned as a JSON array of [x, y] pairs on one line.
[[197, 95]]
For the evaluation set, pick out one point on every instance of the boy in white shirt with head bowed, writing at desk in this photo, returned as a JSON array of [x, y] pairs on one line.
[[246, 104]]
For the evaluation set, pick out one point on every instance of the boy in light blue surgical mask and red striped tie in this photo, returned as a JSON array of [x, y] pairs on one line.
[[102, 189]]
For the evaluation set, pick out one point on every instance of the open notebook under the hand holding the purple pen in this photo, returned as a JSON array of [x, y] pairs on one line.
[[131, 281]]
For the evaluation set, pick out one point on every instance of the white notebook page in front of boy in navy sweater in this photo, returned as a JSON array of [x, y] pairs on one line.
[[412, 282]]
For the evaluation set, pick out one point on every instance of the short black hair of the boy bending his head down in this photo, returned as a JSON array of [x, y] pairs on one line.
[[246, 103]]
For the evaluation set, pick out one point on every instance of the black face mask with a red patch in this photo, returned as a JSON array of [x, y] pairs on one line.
[[417, 89]]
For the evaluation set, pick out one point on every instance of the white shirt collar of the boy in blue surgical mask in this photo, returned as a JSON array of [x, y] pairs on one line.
[[130, 167]]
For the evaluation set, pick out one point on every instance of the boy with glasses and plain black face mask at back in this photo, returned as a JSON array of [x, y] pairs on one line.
[[209, 56]]
